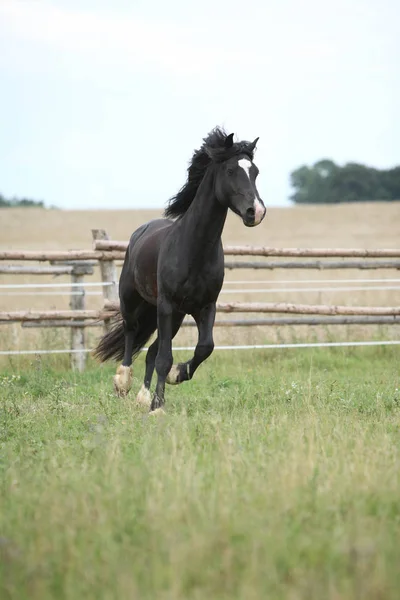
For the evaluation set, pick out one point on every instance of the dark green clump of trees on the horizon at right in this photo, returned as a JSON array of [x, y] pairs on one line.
[[328, 183]]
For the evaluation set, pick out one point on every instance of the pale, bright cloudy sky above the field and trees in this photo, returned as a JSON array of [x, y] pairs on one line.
[[102, 103]]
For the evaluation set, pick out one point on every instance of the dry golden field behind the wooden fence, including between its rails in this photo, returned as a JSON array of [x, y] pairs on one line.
[[373, 225]]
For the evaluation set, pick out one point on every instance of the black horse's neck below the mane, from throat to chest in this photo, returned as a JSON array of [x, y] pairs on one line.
[[204, 221]]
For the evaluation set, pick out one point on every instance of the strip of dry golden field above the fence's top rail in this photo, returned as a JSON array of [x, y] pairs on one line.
[[373, 225]]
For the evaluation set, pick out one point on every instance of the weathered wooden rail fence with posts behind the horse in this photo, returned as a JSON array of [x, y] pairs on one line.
[[106, 253]]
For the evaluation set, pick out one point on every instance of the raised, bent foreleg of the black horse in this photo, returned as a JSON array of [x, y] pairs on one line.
[[205, 322]]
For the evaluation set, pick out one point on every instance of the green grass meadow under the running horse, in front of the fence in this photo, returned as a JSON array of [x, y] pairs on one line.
[[273, 475]]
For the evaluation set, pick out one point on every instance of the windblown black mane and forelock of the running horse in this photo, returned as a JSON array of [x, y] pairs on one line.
[[212, 150]]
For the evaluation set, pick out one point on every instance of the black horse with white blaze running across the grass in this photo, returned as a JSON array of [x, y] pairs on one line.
[[175, 266]]
